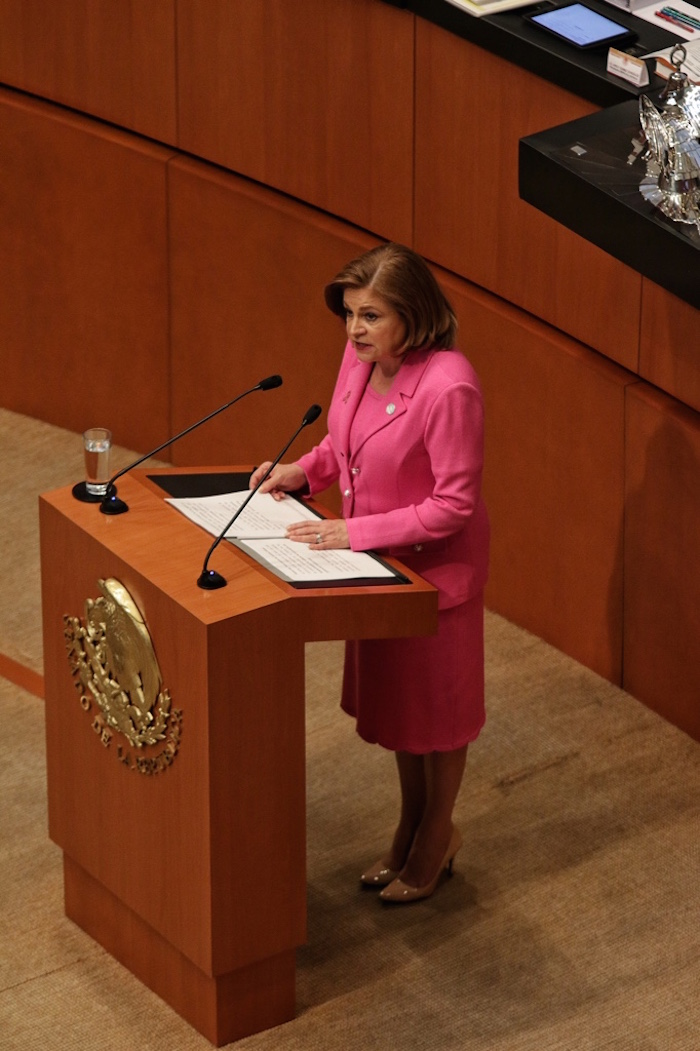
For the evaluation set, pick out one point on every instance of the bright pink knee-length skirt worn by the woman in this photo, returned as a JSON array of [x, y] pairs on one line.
[[420, 695]]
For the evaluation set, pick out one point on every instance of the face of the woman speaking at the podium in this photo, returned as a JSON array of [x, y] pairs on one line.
[[376, 331]]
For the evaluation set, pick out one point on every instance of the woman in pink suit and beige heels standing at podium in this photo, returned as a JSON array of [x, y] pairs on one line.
[[405, 442]]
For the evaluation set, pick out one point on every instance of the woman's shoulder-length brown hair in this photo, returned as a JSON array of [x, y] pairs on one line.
[[404, 280]]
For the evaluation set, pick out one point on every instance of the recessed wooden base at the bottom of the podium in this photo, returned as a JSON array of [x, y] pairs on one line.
[[223, 1008]]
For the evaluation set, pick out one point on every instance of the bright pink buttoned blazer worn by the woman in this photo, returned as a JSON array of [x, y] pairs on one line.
[[411, 483]]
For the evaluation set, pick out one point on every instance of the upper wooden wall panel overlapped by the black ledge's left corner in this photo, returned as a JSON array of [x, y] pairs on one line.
[[472, 108]]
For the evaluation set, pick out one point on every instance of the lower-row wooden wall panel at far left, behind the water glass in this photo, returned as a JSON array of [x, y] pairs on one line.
[[85, 314]]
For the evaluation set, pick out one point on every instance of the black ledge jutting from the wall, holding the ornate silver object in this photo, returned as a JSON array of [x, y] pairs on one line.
[[579, 174]]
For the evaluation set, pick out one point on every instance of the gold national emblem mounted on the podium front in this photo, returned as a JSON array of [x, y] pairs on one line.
[[113, 660]]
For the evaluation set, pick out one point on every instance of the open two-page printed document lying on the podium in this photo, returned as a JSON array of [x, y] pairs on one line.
[[260, 530]]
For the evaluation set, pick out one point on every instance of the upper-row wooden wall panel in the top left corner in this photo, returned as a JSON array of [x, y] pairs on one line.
[[113, 60]]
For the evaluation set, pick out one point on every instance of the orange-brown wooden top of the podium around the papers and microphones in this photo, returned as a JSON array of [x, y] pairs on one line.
[[169, 551]]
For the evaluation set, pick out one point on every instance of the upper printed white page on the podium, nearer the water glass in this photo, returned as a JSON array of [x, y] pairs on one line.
[[263, 518]]
